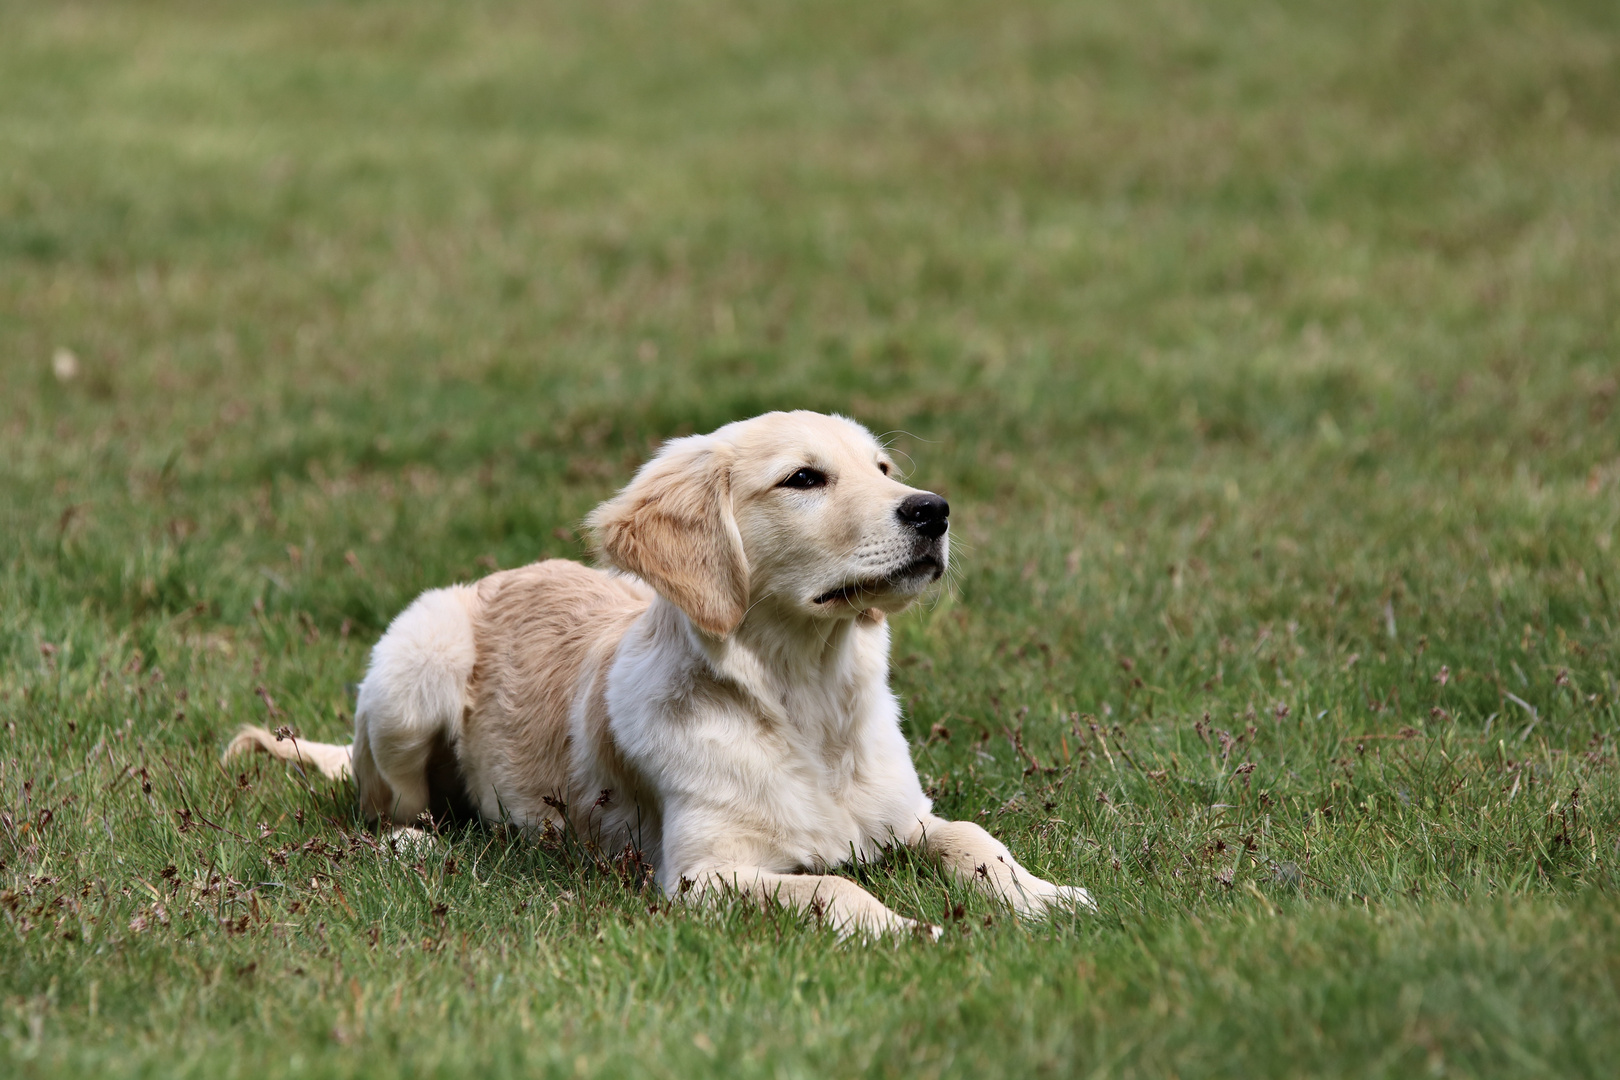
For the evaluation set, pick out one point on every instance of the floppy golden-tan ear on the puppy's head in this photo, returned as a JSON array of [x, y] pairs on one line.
[[673, 529]]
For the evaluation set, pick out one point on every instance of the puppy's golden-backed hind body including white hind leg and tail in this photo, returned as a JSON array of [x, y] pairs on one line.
[[524, 647]]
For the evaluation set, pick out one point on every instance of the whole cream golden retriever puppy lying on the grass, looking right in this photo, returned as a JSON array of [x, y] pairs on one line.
[[722, 704]]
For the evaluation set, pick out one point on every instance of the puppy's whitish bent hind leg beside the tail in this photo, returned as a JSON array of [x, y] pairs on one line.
[[412, 702]]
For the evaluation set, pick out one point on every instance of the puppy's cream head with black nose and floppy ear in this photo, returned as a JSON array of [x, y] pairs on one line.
[[795, 511]]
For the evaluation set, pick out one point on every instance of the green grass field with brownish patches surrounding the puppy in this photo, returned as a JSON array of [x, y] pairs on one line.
[[1268, 352]]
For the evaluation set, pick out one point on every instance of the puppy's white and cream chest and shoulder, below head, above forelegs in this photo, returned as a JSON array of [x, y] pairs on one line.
[[765, 768]]
